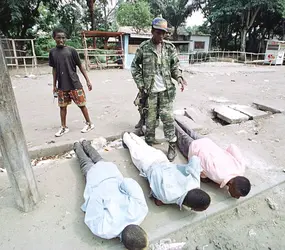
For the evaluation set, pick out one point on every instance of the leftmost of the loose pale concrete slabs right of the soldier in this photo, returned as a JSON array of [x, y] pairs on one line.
[[229, 115]]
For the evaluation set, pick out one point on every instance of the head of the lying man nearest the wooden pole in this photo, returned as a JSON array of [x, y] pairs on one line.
[[134, 238]]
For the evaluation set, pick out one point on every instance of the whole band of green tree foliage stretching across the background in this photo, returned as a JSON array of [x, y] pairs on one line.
[[233, 24]]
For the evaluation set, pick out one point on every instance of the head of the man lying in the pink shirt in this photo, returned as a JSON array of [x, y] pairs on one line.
[[239, 187]]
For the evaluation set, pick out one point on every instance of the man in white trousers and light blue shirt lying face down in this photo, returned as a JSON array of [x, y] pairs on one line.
[[169, 183]]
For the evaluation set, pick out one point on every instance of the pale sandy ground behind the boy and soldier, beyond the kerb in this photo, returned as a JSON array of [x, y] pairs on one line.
[[111, 101]]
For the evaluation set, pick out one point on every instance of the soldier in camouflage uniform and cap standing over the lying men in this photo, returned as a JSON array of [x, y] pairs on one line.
[[155, 64]]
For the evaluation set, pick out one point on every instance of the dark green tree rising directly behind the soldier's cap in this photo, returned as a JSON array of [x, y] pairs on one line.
[[174, 11]]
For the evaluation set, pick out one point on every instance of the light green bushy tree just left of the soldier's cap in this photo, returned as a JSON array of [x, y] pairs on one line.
[[135, 14]]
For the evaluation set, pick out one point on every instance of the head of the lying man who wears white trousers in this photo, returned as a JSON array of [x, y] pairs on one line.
[[197, 200]]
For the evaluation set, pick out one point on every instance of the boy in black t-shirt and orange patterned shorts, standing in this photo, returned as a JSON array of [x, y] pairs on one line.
[[64, 60]]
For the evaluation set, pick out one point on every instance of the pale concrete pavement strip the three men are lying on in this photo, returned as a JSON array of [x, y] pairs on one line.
[[58, 222]]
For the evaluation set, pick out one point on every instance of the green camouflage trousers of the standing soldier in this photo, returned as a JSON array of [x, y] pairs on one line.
[[159, 103]]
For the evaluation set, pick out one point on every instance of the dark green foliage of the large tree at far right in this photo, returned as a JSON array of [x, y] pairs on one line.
[[237, 20]]
